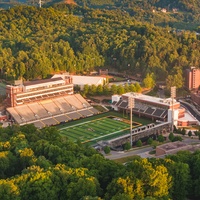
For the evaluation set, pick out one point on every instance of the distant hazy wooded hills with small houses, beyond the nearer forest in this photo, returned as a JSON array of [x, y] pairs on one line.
[[182, 14]]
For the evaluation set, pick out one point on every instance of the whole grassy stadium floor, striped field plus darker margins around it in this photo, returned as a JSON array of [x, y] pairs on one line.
[[99, 127]]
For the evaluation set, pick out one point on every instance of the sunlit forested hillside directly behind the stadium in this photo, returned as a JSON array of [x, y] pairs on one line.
[[36, 42]]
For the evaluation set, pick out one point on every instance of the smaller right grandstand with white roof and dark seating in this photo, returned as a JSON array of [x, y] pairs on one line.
[[157, 109]]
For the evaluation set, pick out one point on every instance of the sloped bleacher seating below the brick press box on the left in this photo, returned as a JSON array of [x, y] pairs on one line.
[[52, 111]]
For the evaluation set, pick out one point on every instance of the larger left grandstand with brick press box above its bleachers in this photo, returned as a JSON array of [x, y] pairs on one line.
[[46, 102]]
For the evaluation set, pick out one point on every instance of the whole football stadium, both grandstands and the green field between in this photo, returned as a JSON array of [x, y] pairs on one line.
[[52, 102]]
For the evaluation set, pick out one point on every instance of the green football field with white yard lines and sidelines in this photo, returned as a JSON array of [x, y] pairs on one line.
[[97, 129]]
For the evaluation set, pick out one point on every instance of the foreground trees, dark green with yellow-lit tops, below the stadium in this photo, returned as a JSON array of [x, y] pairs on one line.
[[41, 164]]
